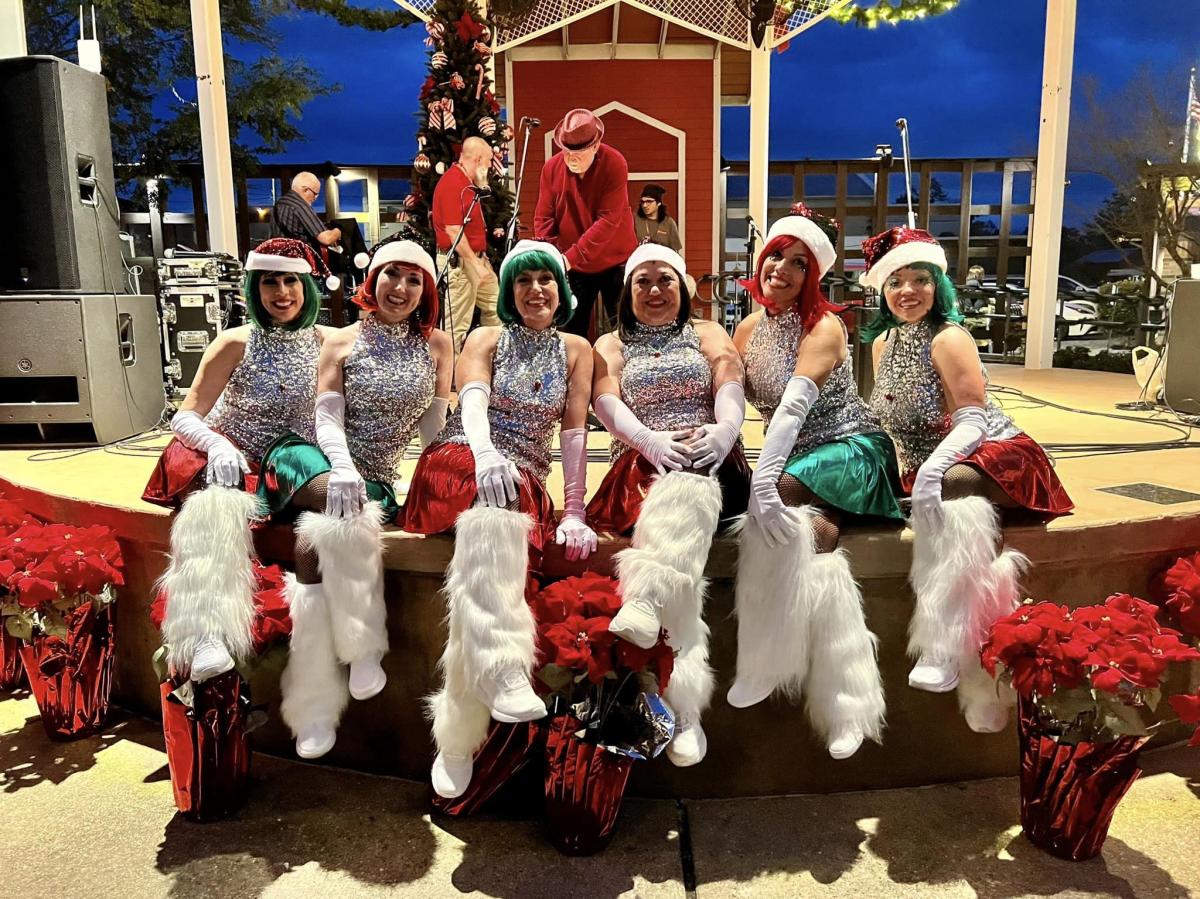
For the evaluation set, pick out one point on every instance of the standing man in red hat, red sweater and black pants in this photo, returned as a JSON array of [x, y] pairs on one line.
[[584, 211]]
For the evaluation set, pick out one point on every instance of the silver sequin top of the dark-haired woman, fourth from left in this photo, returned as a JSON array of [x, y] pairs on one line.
[[667, 381]]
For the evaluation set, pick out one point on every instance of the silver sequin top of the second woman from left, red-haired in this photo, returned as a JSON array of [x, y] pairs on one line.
[[389, 383]]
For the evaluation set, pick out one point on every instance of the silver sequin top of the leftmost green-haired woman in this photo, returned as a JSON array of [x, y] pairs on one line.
[[272, 392]]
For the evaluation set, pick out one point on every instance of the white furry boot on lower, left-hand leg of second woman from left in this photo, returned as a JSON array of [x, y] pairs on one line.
[[314, 685]]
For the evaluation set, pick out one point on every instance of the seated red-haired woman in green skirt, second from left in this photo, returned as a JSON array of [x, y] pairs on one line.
[[380, 382]]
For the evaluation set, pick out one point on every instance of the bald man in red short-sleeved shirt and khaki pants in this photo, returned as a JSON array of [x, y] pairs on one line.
[[472, 279]]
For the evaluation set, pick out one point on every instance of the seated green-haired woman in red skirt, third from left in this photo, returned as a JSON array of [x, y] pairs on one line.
[[487, 480]]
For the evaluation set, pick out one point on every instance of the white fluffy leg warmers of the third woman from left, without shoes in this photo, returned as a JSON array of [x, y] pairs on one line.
[[491, 626]]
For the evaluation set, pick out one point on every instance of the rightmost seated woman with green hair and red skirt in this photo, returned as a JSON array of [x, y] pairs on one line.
[[962, 458]]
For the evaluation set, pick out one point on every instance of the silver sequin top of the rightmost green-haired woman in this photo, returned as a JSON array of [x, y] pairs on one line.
[[911, 403]]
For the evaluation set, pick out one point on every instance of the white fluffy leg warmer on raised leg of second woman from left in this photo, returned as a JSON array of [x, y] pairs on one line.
[[351, 559]]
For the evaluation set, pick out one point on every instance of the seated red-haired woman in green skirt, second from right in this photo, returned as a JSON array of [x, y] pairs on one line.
[[801, 626]]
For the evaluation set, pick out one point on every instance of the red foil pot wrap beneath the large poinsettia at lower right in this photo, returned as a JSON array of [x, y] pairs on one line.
[[1070, 792]]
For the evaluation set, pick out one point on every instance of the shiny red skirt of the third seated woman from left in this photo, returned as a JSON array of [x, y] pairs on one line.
[[445, 488]]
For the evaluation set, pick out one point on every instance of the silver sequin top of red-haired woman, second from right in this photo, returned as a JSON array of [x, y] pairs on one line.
[[771, 362]]
